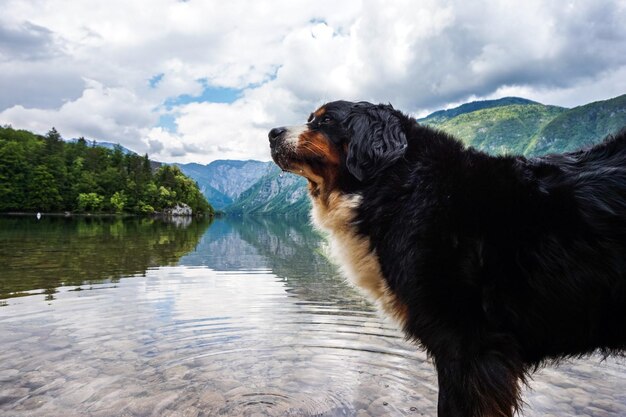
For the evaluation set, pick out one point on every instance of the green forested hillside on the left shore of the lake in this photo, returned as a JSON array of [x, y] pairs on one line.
[[44, 173]]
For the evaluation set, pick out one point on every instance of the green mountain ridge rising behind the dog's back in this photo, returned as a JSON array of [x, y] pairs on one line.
[[520, 126]]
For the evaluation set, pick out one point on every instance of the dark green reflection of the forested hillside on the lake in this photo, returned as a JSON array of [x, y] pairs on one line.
[[42, 255]]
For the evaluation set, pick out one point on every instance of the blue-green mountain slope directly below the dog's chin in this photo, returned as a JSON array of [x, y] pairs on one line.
[[275, 193]]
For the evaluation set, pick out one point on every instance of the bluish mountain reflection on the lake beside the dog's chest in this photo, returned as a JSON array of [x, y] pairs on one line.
[[292, 250]]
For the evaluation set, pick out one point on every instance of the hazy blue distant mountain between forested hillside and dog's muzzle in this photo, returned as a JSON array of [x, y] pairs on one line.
[[223, 181]]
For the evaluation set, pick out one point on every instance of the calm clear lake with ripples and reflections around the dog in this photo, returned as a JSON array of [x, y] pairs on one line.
[[239, 317]]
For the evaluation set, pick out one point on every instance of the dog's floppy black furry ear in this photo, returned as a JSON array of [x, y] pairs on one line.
[[376, 142]]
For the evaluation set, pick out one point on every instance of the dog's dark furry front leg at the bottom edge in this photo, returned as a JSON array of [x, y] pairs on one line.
[[485, 385]]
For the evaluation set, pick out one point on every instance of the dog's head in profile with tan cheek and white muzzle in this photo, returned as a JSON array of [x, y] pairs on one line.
[[342, 144]]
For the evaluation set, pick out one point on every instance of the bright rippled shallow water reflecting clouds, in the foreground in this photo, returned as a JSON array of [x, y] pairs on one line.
[[196, 342]]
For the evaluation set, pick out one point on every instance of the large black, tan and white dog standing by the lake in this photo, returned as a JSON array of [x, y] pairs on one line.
[[495, 265]]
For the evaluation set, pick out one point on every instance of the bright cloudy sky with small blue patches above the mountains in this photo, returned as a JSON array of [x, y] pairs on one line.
[[196, 81]]
